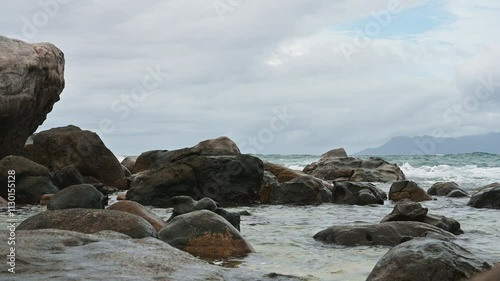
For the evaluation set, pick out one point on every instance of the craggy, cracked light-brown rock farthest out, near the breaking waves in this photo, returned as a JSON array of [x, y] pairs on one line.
[[354, 169]]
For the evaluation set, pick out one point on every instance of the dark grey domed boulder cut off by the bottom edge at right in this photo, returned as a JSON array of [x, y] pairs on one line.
[[427, 260]]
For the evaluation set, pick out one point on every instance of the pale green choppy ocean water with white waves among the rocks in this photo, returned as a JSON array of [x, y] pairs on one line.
[[282, 235]]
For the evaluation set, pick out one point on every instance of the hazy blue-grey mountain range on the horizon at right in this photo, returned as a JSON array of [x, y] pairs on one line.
[[489, 143]]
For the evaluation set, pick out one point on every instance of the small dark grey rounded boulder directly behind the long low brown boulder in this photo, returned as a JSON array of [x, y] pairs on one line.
[[84, 196]]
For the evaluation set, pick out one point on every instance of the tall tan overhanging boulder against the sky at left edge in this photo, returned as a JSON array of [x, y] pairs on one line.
[[31, 80]]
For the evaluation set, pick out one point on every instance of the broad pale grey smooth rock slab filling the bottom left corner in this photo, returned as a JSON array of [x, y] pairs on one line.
[[61, 255]]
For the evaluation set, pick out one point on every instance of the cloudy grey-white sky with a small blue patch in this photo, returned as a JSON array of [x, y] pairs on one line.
[[277, 77]]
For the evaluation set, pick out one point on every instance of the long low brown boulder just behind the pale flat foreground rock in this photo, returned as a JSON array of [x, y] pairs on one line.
[[90, 221]]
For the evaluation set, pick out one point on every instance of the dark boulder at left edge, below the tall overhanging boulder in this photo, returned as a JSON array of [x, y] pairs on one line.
[[31, 180]]
